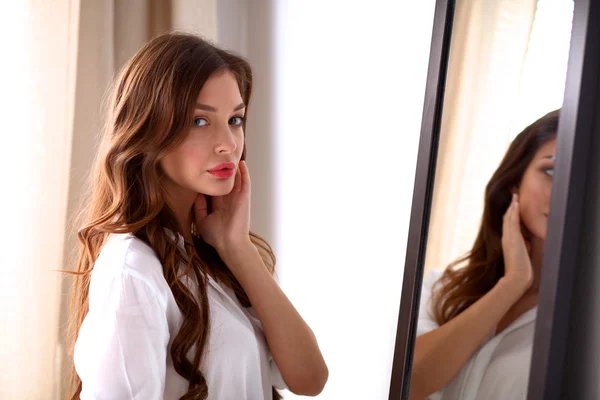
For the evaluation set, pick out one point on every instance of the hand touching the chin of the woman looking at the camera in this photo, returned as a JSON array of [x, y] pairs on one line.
[[227, 227]]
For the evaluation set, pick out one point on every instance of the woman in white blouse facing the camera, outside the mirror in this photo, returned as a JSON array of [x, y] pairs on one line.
[[173, 296]]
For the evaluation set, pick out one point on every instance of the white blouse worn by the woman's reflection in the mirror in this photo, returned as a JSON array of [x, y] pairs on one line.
[[499, 368]]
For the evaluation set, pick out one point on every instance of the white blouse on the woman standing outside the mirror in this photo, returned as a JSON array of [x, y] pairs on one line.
[[122, 351]]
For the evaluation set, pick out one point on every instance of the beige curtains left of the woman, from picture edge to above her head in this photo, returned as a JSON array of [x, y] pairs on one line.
[[62, 54]]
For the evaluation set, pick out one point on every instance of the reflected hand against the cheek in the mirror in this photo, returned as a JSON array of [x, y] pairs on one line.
[[517, 263]]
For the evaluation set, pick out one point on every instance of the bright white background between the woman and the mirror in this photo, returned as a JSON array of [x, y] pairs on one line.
[[339, 91]]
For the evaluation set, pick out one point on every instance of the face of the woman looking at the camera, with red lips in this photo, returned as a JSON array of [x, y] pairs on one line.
[[208, 158]]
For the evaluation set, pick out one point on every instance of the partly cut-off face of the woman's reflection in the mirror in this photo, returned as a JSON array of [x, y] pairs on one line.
[[535, 188]]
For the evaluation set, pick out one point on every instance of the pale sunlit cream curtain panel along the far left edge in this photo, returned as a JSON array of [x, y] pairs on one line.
[[39, 41]]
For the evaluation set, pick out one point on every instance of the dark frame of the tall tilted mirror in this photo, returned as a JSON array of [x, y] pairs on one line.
[[582, 93]]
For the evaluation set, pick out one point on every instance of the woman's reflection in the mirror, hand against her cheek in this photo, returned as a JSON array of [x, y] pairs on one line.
[[476, 320]]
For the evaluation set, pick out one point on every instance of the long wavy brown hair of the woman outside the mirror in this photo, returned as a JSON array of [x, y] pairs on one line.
[[150, 114]]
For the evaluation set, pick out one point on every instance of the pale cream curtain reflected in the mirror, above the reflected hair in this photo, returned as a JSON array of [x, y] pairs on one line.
[[488, 50]]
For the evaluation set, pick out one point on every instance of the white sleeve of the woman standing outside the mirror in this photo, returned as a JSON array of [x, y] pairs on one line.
[[120, 352]]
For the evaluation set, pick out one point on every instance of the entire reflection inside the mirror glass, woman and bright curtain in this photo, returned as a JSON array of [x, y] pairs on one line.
[[483, 259]]
